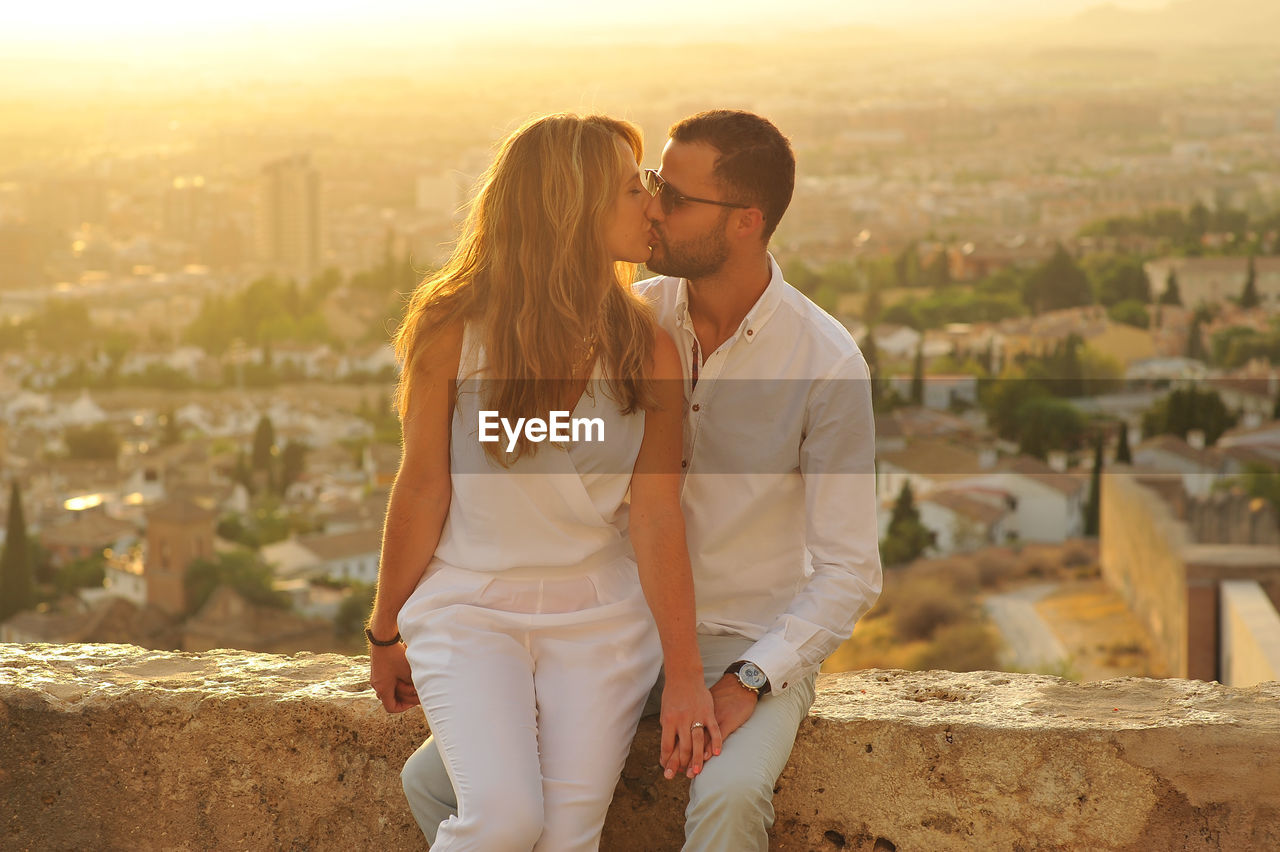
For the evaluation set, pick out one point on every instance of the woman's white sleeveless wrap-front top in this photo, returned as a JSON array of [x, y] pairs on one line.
[[555, 509]]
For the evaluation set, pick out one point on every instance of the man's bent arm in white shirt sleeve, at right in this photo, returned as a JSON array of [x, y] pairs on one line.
[[838, 462]]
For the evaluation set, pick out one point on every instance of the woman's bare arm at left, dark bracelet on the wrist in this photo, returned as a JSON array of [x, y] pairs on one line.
[[417, 510]]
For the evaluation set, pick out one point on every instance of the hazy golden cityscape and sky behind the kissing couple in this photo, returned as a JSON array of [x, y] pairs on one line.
[[1057, 237]]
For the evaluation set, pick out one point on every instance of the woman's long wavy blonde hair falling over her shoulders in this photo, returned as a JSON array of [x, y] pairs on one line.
[[533, 271]]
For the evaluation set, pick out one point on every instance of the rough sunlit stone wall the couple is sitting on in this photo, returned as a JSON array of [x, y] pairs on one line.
[[115, 748]]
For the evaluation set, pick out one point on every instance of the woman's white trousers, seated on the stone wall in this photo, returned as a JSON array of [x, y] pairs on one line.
[[533, 682]]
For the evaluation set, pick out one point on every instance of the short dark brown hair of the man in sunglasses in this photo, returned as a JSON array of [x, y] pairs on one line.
[[756, 163]]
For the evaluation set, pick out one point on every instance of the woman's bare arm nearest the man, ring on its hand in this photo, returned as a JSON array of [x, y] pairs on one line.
[[662, 556]]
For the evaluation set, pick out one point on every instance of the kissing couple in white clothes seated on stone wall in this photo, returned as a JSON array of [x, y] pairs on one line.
[[712, 524]]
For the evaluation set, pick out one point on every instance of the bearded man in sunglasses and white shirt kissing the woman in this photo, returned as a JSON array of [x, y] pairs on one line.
[[779, 491]]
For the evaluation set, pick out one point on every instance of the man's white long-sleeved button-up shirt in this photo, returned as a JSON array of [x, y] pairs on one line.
[[779, 478]]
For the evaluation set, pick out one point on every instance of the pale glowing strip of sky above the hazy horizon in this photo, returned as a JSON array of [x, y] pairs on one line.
[[135, 24]]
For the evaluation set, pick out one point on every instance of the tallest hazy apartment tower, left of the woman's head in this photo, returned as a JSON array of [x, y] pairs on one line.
[[290, 218]]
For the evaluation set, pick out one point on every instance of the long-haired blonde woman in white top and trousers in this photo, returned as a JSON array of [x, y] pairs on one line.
[[504, 561]]
